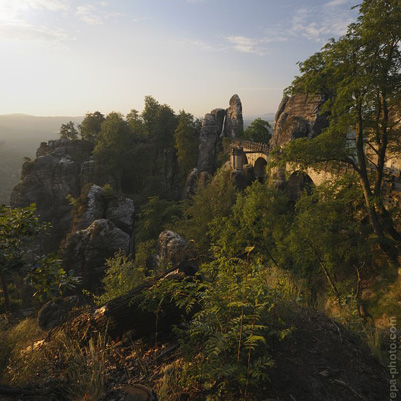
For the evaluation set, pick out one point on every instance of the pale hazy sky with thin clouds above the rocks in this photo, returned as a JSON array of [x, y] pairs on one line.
[[68, 57]]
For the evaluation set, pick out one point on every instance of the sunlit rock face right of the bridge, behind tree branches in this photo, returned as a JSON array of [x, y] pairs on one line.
[[299, 116]]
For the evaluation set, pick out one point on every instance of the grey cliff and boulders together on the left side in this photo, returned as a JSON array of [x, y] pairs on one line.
[[102, 223]]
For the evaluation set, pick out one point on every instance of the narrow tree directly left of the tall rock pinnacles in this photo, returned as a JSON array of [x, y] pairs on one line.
[[186, 143]]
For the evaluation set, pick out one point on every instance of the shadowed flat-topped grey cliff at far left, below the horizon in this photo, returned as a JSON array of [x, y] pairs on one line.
[[47, 180]]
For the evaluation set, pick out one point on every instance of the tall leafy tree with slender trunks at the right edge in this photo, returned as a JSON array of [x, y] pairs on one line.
[[361, 74]]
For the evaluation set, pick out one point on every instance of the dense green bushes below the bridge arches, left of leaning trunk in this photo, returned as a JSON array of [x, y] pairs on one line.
[[327, 238]]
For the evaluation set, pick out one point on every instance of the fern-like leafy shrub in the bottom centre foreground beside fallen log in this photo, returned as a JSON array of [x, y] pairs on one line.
[[225, 345]]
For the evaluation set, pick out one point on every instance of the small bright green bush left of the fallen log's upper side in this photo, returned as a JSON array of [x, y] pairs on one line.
[[121, 276]]
